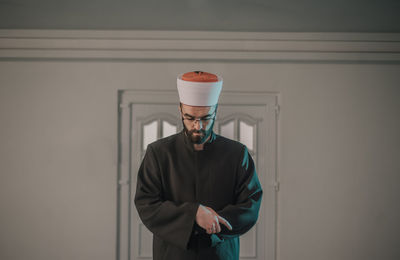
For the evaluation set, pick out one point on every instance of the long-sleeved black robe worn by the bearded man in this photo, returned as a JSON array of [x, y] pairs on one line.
[[173, 179]]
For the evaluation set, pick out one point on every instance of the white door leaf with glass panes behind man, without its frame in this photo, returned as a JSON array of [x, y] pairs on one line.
[[151, 122]]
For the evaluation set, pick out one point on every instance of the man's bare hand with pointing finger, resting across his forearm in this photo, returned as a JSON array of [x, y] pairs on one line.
[[208, 219]]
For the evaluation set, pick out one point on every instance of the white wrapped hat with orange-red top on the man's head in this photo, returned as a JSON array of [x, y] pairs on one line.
[[199, 88]]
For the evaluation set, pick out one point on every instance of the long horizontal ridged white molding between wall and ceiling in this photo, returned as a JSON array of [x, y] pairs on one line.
[[199, 46]]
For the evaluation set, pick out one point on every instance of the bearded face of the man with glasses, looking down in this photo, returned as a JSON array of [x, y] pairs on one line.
[[198, 130]]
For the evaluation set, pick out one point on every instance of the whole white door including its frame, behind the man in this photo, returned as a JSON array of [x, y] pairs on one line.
[[143, 122]]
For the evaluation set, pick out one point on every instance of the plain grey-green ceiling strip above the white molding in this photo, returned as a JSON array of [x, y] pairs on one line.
[[204, 15]]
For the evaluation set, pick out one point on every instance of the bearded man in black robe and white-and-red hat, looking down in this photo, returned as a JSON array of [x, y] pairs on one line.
[[197, 192]]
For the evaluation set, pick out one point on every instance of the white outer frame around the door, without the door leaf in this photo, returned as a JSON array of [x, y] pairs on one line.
[[271, 101]]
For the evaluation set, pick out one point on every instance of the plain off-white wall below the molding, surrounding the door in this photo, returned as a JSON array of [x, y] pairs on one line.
[[339, 159]]
